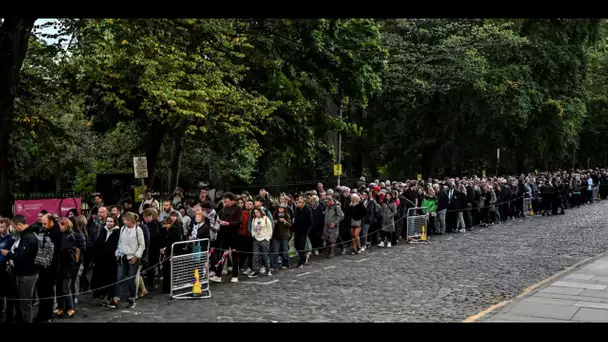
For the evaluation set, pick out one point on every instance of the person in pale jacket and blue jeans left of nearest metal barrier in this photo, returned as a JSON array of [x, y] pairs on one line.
[[131, 247]]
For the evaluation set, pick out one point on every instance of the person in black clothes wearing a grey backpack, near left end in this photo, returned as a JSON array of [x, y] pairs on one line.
[[50, 240]]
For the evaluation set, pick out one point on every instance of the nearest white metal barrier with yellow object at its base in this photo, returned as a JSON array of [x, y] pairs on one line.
[[190, 272]]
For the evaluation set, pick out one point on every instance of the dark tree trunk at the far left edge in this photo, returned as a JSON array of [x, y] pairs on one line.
[[14, 36]]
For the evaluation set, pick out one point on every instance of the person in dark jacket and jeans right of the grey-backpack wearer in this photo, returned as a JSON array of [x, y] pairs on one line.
[[70, 255]]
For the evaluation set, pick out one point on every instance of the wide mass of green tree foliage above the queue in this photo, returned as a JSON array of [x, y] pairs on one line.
[[258, 100]]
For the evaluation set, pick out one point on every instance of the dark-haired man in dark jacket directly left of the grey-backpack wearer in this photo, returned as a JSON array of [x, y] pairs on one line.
[[22, 257]]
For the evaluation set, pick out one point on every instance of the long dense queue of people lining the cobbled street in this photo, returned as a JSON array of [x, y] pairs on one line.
[[49, 262]]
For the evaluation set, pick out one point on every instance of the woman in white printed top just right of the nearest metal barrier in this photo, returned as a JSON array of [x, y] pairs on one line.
[[261, 231]]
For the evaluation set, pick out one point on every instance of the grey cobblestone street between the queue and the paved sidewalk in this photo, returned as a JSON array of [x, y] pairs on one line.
[[456, 276]]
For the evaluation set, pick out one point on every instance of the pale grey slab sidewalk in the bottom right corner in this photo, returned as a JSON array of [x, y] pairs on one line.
[[579, 296]]
